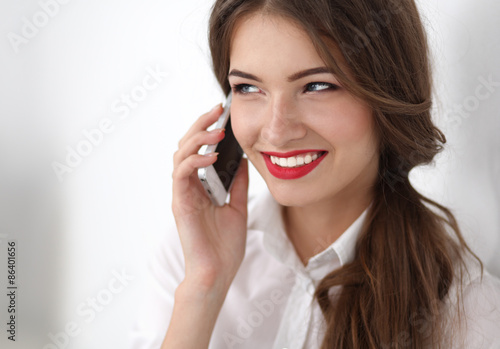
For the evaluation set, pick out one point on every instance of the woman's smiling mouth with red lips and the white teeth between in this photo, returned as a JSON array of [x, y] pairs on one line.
[[294, 164]]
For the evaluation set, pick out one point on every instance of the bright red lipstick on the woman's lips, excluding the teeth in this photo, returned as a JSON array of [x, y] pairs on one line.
[[292, 172]]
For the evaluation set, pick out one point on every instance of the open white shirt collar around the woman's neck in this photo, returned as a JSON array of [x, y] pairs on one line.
[[265, 215]]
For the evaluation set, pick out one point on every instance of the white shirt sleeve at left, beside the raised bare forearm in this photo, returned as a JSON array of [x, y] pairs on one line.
[[165, 272]]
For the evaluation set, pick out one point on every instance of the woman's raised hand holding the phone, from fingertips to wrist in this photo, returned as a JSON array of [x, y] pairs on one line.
[[213, 238]]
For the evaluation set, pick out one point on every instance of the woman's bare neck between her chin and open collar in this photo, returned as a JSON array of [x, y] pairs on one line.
[[313, 228]]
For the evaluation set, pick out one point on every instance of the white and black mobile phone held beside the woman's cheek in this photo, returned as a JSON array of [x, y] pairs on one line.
[[217, 179]]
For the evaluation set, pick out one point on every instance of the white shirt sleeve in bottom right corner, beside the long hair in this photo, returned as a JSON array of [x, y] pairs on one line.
[[481, 300]]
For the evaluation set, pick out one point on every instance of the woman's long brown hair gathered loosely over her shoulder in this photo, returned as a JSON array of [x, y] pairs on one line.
[[406, 258]]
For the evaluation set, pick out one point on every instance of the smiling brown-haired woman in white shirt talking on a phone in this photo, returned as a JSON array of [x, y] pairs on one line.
[[347, 254]]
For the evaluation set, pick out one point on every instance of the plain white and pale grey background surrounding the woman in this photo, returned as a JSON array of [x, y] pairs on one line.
[[107, 215]]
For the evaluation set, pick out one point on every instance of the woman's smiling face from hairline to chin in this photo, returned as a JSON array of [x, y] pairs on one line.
[[311, 140]]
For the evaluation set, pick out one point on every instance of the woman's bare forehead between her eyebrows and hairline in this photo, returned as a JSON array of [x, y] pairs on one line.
[[271, 42]]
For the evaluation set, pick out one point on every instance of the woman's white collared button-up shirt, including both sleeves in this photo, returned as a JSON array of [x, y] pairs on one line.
[[270, 303]]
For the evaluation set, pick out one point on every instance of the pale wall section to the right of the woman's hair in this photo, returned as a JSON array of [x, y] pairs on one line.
[[466, 48]]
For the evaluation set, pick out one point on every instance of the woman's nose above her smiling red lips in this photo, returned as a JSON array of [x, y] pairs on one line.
[[283, 123]]
